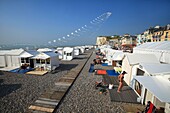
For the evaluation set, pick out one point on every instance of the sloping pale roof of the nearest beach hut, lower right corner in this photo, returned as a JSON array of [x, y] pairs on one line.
[[153, 83]]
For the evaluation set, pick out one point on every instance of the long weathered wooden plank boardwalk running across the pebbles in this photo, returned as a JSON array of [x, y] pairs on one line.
[[51, 98]]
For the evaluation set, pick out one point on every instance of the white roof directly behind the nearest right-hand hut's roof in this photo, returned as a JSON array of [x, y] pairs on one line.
[[155, 68]]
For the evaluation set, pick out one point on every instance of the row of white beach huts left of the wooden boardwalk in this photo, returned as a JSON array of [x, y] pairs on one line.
[[44, 58]]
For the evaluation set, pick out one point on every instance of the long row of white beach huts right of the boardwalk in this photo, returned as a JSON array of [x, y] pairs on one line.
[[148, 71]]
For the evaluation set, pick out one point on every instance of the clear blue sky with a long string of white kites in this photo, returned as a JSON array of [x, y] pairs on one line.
[[77, 22]]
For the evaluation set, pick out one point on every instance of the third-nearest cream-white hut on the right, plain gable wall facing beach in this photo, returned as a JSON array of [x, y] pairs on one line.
[[132, 60]]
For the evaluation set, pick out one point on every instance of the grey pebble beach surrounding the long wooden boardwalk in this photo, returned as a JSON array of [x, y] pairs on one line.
[[19, 91]]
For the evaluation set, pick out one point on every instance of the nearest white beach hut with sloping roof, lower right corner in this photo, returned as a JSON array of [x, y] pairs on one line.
[[156, 90]]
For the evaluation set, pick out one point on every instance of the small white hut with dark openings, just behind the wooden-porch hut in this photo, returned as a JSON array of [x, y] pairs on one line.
[[68, 53]]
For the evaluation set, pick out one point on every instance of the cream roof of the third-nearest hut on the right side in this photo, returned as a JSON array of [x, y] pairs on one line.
[[136, 58]]
